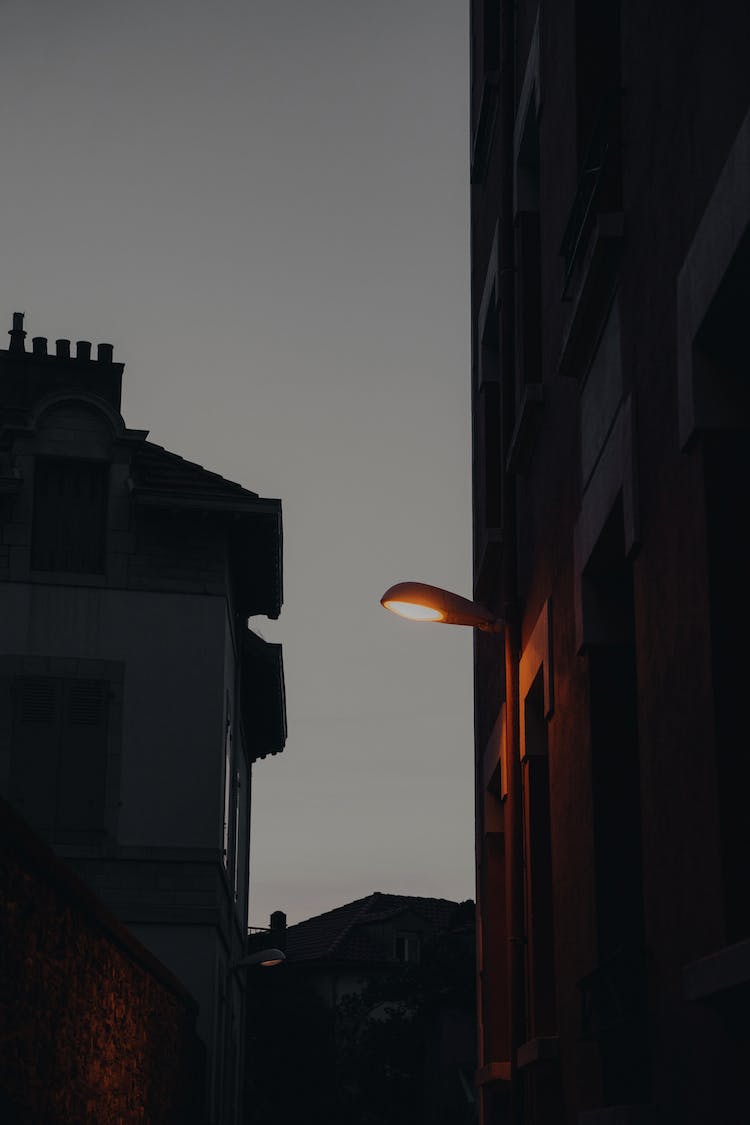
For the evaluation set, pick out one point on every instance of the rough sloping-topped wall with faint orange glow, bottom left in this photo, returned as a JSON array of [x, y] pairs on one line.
[[94, 1029]]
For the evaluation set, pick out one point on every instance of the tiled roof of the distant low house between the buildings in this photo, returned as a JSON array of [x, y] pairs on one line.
[[350, 933]]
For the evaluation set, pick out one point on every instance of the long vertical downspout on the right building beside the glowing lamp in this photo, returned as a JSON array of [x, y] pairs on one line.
[[514, 827]]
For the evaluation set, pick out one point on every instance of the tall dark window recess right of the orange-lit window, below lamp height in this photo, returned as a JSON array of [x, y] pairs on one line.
[[615, 995]]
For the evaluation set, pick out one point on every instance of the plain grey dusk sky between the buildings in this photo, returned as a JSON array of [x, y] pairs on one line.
[[265, 209]]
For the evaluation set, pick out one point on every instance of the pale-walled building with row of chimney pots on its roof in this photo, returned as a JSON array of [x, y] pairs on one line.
[[134, 700]]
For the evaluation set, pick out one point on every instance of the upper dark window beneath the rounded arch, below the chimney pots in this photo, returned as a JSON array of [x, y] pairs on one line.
[[70, 511]]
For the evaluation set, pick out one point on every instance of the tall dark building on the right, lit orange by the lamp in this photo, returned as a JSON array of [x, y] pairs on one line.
[[611, 404]]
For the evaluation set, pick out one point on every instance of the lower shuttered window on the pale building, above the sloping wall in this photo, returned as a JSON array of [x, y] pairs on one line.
[[59, 755]]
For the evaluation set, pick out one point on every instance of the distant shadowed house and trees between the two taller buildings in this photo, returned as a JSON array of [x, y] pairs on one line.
[[376, 1004]]
